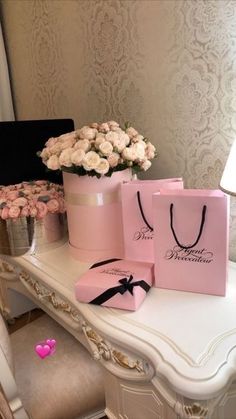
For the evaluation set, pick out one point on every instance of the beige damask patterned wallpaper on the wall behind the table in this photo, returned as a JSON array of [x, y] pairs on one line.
[[169, 67]]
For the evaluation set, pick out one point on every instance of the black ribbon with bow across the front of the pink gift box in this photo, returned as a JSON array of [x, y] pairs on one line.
[[126, 285]]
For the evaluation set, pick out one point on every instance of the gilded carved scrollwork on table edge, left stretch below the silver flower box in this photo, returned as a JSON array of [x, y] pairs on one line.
[[42, 293]]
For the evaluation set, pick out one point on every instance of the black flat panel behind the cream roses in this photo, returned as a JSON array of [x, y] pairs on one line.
[[20, 141]]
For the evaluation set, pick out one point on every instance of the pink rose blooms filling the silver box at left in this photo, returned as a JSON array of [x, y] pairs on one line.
[[31, 199]]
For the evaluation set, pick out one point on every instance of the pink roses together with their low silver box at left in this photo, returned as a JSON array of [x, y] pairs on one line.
[[30, 211]]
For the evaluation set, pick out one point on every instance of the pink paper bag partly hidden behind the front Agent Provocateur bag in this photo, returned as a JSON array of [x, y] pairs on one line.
[[137, 216]]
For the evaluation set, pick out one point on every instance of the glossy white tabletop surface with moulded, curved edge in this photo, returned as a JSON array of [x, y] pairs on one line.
[[188, 338]]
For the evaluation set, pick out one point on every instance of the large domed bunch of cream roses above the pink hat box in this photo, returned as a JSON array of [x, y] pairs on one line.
[[98, 150]]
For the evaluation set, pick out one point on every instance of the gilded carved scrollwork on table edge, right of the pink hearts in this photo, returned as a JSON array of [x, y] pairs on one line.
[[103, 350]]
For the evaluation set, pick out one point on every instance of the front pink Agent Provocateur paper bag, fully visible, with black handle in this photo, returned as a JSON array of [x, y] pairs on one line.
[[191, 240]]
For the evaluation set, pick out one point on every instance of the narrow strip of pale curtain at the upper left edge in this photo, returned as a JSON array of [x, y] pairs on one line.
[[6, 105]]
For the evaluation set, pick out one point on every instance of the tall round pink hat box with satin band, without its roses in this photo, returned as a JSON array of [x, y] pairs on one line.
[[94, 215]]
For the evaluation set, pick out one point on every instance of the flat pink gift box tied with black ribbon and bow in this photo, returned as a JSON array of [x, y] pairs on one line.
[[120, 283]]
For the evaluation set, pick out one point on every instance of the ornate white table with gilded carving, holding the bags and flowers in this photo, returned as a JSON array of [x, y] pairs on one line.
[[174, 358]]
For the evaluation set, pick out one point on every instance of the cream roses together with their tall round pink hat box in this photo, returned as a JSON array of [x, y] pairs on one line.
[[95, 160]]
